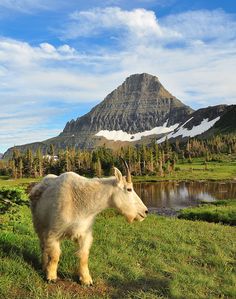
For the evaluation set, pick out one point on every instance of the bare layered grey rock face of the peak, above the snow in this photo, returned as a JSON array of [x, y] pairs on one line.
[[139, 104]]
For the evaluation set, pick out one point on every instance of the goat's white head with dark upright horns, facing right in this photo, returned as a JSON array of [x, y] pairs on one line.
[[126, 200]]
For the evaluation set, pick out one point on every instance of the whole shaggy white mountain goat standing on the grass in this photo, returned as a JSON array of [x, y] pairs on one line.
[[66, 206]]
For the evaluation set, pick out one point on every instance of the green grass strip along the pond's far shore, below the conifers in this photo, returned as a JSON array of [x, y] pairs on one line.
[[225, 170]]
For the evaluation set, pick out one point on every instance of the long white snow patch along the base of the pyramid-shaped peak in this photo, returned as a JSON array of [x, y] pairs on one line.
[[124, 136]]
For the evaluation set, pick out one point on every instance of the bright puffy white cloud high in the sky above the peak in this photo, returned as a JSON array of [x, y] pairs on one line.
[[137, 24]]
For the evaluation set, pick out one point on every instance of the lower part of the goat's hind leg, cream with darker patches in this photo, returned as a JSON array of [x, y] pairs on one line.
[[51, 255]]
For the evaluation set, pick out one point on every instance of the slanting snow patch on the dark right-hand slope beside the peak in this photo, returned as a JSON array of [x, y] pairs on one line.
[[196, 130]]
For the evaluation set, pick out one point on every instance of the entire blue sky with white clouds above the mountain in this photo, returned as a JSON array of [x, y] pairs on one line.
[[59, 58]]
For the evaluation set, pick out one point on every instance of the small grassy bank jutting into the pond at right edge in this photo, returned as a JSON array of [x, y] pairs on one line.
[[223, 211]]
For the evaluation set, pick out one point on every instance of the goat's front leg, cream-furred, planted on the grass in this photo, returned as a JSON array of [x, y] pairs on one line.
[[85, 242]]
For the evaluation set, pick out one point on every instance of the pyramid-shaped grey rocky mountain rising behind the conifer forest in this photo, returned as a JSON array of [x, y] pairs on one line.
[[139, 109]]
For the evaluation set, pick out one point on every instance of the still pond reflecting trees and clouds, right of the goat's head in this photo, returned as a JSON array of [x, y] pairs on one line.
[[177, 195]]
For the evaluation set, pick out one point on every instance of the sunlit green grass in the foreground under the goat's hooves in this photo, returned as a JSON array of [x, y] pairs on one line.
[[158, 258]]
